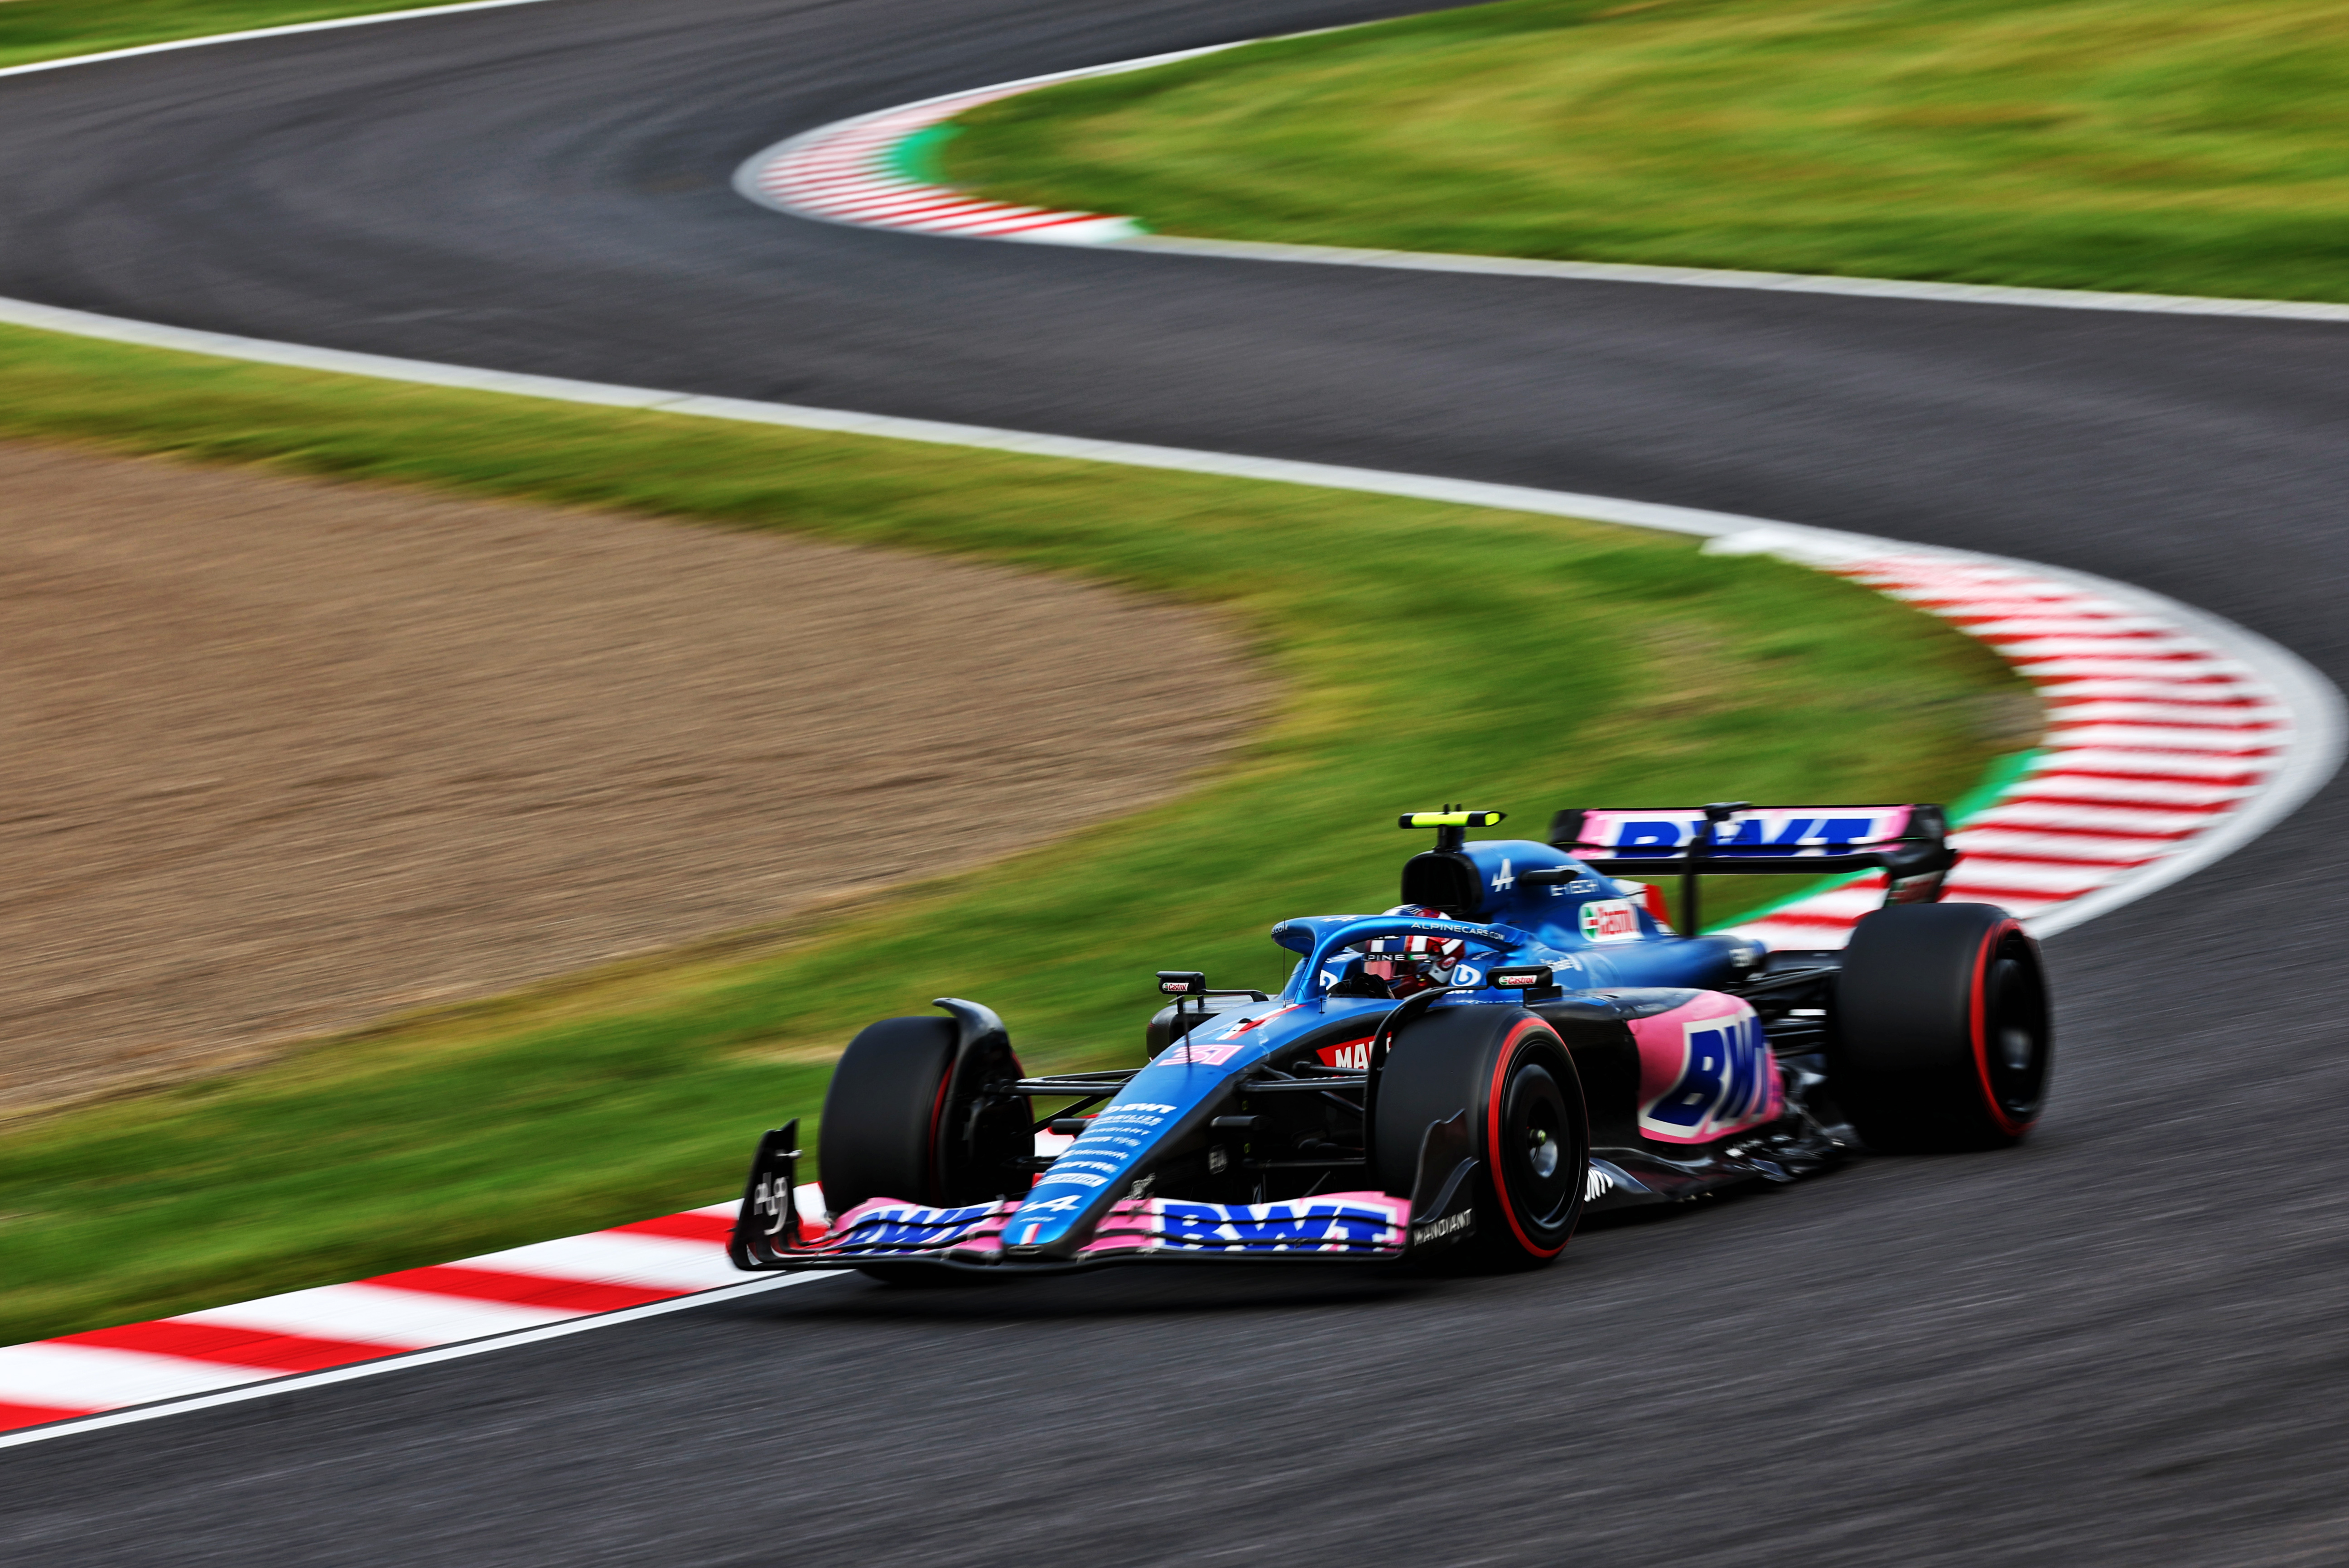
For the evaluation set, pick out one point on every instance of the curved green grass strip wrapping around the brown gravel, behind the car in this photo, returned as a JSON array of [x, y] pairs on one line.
[[1422, 654]]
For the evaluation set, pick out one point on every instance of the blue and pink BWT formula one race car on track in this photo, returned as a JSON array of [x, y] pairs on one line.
[[1519, 1043]]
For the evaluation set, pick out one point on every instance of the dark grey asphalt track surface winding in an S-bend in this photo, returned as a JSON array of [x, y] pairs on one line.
[[2115, 1344]]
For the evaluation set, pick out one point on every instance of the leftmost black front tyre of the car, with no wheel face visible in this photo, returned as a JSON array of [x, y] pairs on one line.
[[917, 1118]]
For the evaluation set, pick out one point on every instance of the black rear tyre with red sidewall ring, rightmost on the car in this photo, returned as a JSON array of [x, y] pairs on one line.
[[1941, 1029]]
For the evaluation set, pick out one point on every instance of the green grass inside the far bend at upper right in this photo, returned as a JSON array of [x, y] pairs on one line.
[[2080, 144]]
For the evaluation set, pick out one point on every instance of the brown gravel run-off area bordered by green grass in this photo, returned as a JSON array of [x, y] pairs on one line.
[[285, 757]]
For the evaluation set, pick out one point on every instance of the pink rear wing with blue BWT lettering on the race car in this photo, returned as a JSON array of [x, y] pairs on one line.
[[1911, 844]]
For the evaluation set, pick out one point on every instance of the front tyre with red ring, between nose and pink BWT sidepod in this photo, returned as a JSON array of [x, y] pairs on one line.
[[1528, 1126]]
